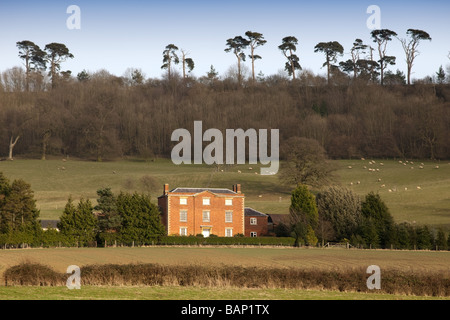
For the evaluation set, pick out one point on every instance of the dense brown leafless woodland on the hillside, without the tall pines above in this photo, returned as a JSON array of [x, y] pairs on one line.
[[107, 117]]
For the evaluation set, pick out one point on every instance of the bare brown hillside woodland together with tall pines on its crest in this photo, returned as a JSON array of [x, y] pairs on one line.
[[102, 116]]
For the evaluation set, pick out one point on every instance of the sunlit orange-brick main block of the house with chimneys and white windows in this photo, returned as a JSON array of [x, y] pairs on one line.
[[206, 211]]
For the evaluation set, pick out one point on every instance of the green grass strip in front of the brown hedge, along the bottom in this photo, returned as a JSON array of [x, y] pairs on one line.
[[190, 293]]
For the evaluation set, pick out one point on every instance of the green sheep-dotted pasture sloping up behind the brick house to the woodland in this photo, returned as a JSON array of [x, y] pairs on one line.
[[54, 181]]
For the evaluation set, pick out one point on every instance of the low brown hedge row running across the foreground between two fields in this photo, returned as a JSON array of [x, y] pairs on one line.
[[351, 280]]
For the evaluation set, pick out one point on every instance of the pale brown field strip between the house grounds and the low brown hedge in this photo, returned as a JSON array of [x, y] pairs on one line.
[[60, 258]]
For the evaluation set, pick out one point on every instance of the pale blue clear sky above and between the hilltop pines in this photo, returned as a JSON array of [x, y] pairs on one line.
[[116, 34]]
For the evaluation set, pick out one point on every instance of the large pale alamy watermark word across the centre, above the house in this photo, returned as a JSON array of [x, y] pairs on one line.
[[226, 151]]
